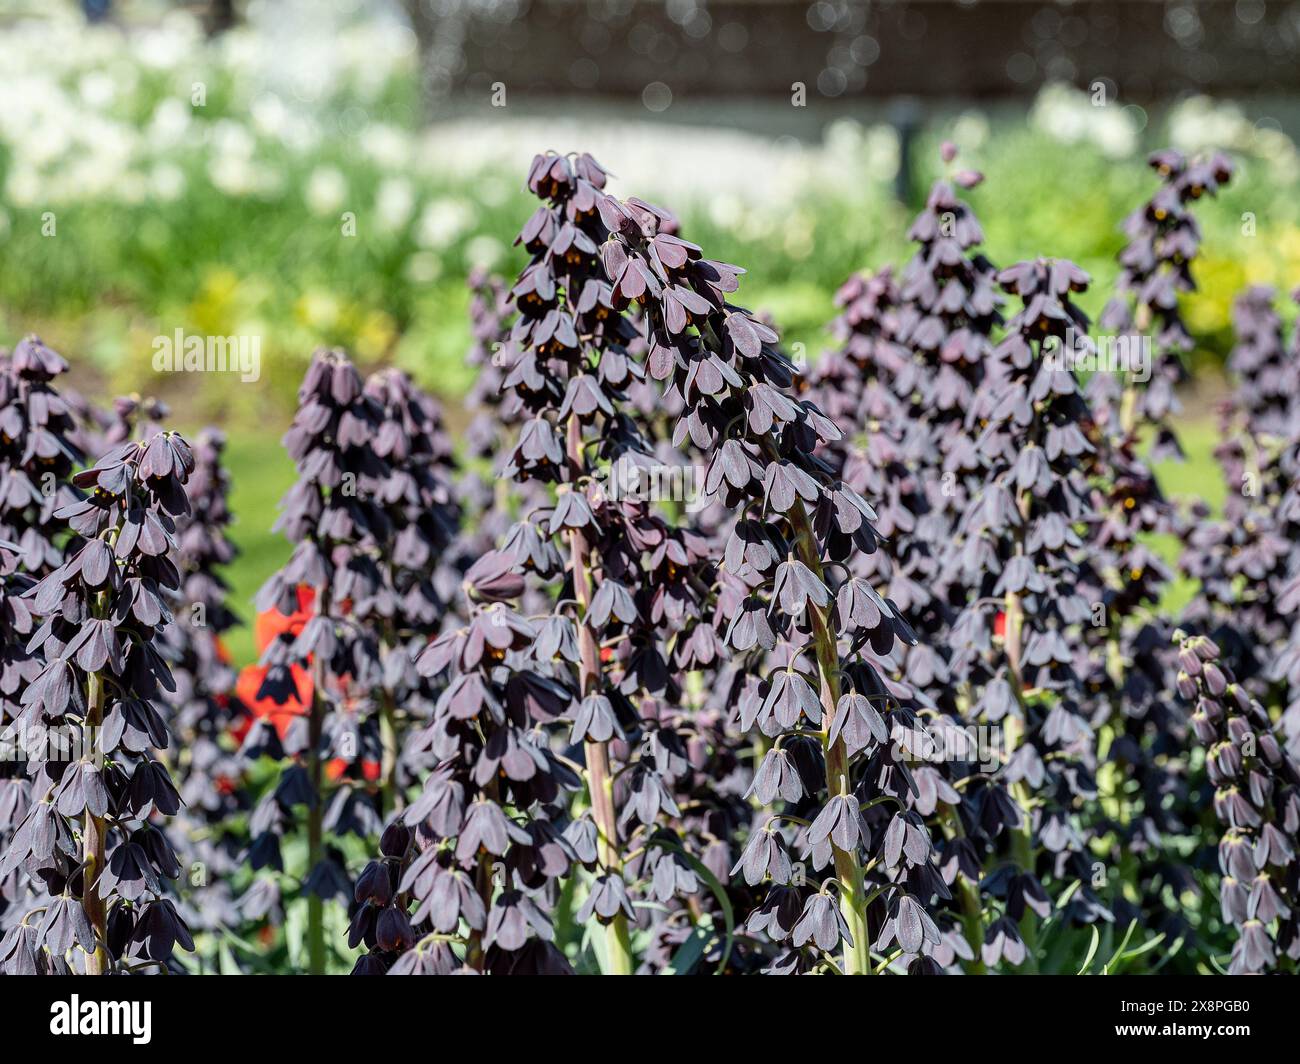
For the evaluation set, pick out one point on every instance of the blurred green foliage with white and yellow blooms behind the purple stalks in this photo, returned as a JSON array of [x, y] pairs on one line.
[[137, 211]]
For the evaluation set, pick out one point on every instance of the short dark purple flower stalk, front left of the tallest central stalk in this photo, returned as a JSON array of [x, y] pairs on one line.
[[467, 877]]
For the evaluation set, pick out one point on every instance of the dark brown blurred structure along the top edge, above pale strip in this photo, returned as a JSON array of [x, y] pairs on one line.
[[1139, 50]]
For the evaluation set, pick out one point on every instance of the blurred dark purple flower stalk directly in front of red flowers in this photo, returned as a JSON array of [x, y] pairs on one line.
[[336, 518]]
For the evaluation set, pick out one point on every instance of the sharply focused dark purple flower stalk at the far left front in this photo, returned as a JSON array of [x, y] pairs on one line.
[[94, 832]]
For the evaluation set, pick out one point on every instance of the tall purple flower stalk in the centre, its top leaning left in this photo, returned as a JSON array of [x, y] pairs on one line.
[[796, 525]]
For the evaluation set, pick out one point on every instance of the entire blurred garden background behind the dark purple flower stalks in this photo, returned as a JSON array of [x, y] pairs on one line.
[[320, 172]]
